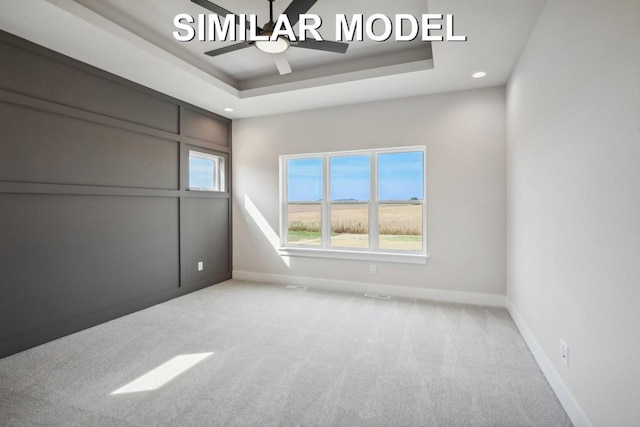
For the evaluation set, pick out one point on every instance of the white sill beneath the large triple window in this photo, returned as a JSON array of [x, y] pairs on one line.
[[356, 255]]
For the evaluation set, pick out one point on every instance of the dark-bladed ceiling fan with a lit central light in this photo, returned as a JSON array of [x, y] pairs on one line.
[[278, 47]]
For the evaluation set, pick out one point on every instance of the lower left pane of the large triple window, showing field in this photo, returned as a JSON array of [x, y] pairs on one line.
[[305, 225]]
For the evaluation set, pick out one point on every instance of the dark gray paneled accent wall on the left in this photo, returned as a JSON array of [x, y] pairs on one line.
[[96, 219]]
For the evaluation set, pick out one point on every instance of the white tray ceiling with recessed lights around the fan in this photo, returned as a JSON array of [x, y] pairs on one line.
[[133, 39]]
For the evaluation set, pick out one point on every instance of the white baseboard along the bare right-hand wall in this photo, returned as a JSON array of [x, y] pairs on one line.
[[568, 401]]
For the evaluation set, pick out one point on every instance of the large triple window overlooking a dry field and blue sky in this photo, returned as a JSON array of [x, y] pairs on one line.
[[362, 204]]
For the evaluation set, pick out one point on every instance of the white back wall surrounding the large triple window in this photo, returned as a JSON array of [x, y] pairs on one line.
[[464, 133]]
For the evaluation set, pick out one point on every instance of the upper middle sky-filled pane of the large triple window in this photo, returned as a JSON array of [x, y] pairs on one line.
[[350, 178]]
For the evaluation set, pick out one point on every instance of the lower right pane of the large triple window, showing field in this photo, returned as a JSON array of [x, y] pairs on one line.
[[400, 227]]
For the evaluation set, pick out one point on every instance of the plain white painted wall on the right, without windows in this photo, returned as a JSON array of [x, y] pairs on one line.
[[574, 201]]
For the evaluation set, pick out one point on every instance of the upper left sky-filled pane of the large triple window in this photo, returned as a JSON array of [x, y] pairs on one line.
[[304, 180]]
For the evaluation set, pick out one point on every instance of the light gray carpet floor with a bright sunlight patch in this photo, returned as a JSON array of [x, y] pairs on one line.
[[267, 355]]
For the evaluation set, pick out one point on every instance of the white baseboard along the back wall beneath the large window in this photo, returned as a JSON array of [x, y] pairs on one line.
[[373, 288]]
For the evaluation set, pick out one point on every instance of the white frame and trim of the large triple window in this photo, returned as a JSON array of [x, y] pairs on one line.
[[326, 251]]
